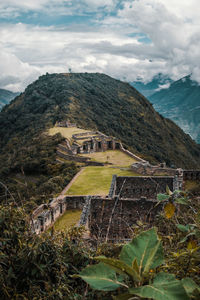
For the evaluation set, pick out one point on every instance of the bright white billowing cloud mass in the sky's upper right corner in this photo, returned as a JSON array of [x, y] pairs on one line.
[[173, 27]]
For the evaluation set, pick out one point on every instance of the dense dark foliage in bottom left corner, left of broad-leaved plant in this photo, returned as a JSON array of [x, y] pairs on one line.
[[38, 267]]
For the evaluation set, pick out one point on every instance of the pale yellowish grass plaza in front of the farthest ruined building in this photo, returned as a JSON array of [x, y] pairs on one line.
[[115, 157]]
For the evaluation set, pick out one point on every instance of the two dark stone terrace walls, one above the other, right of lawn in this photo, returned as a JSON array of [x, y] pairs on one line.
[[130, 199]]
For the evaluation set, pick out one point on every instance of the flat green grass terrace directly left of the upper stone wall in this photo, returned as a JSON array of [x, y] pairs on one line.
[[96, 180]]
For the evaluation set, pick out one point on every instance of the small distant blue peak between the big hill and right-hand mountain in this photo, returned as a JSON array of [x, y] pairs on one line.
[[159, 82]]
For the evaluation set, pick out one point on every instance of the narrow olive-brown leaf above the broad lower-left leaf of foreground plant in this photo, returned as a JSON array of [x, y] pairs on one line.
[[119, 266]]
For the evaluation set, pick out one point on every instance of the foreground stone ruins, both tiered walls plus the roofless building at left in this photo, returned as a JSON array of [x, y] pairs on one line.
[[110, 218]]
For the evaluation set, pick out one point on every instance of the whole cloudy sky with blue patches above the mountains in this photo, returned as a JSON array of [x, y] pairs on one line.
[[128, 40]]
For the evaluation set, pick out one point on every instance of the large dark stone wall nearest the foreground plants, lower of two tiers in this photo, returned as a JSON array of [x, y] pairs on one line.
[[126, 214]]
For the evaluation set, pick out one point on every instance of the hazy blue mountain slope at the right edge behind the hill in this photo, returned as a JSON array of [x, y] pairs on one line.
[[181, 103]]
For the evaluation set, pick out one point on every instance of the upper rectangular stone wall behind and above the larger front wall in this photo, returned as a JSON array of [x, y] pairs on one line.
[[136, 187]]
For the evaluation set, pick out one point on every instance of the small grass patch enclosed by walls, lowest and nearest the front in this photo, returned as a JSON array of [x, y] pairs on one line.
[[69, 218]]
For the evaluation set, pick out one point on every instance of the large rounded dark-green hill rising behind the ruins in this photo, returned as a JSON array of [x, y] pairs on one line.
[[93, 101]]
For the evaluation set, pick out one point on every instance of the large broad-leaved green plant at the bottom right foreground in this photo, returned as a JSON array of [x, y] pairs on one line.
[[135, 273]]
